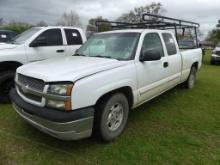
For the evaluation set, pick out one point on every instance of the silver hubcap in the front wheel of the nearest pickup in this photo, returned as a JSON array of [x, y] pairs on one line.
[[115, 117]]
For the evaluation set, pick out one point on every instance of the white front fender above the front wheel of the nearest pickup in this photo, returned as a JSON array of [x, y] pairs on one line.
[[86, 92]]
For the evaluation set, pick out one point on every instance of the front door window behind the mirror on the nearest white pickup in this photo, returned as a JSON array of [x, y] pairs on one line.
[[152, 42]]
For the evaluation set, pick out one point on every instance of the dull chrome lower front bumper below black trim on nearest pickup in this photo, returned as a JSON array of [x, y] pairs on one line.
[[65, 131]]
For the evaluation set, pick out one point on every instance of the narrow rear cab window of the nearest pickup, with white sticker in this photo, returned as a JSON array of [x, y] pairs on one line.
[[170, 44]]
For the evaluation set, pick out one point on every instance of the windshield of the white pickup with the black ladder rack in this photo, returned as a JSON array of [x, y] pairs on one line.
[[118, 46]]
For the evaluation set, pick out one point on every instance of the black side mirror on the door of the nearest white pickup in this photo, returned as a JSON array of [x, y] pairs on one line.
[[150, 55]]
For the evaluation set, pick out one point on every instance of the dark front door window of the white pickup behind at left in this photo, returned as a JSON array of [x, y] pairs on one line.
[[52, 37]]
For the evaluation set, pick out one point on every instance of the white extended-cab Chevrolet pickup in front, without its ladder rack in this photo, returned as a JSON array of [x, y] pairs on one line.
[[92, 92]]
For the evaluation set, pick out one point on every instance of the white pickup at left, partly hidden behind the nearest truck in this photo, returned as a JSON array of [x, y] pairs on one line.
[[36, 44]]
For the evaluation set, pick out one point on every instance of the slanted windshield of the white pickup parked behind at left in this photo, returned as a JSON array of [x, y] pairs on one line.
[[20, 39]]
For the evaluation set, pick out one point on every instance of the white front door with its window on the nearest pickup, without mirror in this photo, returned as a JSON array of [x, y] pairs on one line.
[[151, 74]]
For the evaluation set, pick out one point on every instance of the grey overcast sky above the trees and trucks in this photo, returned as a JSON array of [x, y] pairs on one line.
[[205, 12]]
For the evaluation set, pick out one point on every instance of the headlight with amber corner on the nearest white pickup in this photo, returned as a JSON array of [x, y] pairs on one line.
[[59, 92]]
